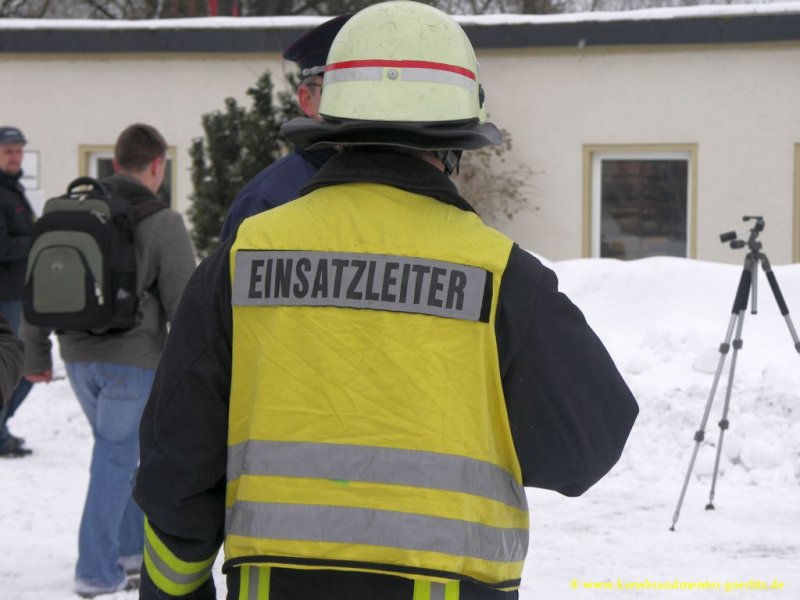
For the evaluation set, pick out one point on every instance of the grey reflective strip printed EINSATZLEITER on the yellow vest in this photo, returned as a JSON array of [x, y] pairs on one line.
[[357, 280]]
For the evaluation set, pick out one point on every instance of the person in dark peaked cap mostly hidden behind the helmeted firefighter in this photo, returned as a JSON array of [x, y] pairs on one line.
[[282, 181]]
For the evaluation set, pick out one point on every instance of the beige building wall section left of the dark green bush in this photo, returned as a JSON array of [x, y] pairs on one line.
[[64, 102]]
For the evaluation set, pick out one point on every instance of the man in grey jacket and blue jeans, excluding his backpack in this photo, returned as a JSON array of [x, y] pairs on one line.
[[111, 372]]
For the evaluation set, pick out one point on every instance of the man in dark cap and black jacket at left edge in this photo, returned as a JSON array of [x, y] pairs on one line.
[[16, 231]]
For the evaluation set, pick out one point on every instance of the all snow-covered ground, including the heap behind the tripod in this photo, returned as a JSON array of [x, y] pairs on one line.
[[662, 320]]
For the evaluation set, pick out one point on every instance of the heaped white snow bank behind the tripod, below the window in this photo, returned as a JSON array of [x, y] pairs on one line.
[[663, 320]]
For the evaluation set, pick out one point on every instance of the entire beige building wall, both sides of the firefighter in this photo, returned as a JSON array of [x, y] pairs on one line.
[[735, 106]]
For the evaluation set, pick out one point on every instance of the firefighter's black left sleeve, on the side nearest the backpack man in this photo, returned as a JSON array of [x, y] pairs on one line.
[[180, 484]]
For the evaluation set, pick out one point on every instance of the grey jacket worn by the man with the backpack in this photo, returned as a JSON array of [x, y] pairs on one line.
[[164, 262]]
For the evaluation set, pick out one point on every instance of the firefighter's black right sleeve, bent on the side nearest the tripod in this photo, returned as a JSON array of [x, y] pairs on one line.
[[569, 408]]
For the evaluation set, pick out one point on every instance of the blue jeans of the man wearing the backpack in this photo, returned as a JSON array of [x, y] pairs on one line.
[[113, 397]]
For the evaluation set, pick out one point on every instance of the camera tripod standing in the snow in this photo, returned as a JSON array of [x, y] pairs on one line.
[[748, 288]]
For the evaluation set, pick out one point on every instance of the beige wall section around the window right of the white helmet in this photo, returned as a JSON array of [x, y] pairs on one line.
[[737, 105]]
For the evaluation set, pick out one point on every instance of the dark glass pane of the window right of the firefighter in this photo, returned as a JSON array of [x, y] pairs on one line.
[[643, 208]]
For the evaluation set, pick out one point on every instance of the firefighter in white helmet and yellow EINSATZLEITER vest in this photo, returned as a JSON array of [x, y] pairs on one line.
[[358, 388]]
